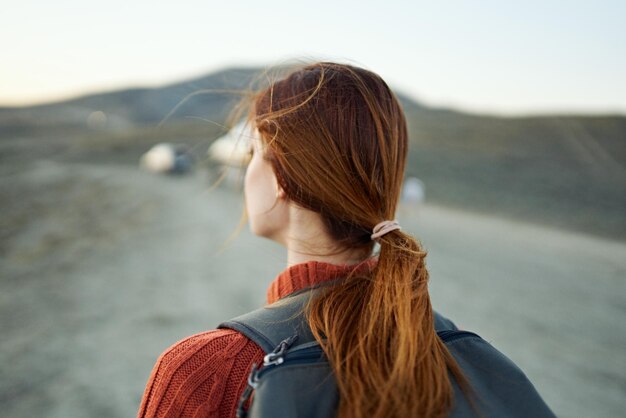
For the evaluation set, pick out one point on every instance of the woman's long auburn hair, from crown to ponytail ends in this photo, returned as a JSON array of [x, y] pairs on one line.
[[337, 139]]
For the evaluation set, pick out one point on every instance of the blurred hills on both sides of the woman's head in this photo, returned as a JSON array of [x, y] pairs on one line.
[[563, 170]]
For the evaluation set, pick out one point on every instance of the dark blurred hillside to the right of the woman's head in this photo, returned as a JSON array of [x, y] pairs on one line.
[[565, 171]]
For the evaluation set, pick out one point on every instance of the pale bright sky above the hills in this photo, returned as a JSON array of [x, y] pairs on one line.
[[498, 57]]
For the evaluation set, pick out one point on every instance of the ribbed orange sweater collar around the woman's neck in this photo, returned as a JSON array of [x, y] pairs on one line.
[[310, 273]]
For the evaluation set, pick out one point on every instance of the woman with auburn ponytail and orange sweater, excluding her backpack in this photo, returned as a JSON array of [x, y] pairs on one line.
[[329, 151]]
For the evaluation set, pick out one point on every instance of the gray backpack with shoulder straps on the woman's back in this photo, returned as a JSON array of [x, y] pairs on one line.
[[295, 380]]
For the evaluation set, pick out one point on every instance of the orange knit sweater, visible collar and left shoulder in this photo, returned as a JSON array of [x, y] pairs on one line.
[[205, 374]]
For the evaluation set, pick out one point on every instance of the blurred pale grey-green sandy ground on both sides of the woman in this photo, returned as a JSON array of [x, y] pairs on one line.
[[103, 267]]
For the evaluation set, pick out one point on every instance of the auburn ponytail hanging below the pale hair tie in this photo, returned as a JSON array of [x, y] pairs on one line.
[[378, 333]]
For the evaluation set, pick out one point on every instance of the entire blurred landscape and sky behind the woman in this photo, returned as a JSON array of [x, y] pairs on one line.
[[114, 238]]
